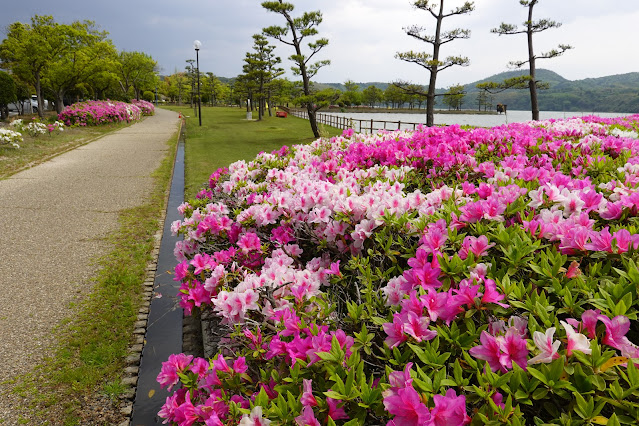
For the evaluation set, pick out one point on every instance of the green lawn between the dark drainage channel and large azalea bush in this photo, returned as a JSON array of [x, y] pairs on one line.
[[226, 136]]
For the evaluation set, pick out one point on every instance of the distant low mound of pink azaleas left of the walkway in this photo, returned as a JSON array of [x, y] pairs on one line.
[[94, 113]]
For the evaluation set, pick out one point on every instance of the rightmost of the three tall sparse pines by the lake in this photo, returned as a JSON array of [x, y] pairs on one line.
[[530, 28]]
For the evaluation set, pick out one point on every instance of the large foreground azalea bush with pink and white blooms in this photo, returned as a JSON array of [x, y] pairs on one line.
[[443, 276]]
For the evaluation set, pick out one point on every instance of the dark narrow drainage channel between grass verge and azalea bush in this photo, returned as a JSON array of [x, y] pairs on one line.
[[164, 326]]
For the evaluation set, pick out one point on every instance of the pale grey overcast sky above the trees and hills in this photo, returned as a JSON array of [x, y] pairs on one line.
[[364, 35]]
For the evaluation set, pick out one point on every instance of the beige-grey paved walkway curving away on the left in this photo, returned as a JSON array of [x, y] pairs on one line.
[[53, 218]]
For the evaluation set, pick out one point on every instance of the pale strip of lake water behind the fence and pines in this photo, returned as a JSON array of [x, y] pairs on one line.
[[480, 120]]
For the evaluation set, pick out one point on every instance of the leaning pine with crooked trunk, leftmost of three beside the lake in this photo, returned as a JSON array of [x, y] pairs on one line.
[[293, 34]]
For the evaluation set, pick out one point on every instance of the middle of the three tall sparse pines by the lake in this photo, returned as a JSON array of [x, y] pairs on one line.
[[432, 61]]
